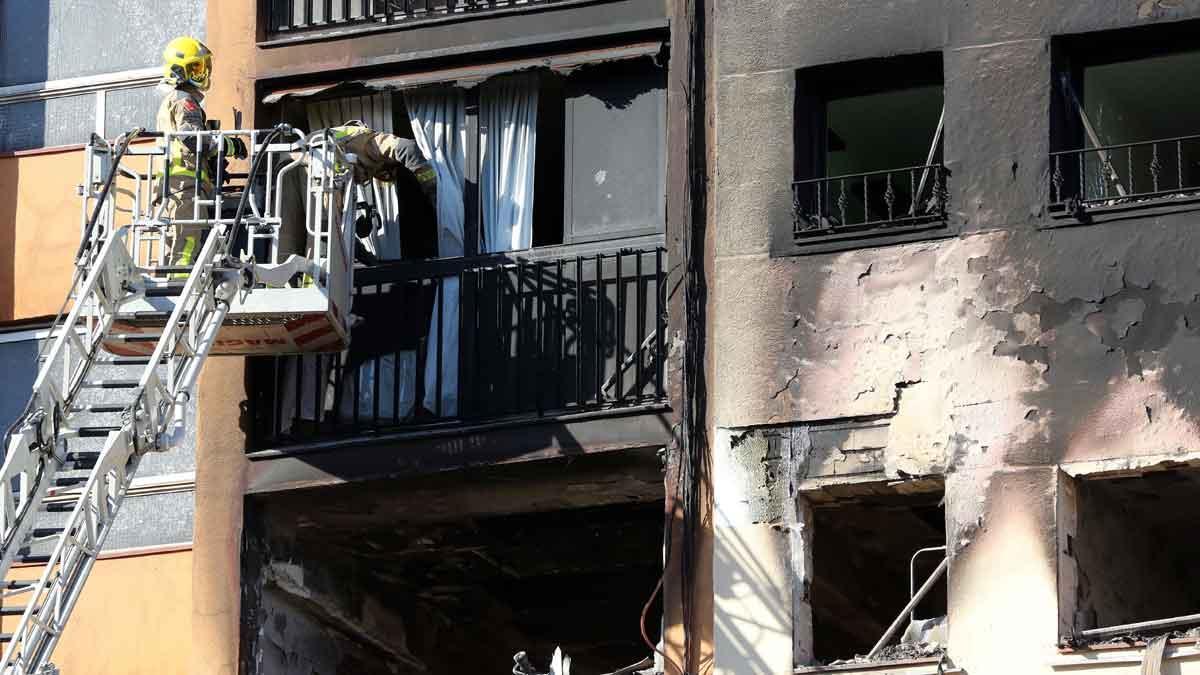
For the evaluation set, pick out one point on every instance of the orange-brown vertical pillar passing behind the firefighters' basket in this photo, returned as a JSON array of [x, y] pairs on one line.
[[221, 445]]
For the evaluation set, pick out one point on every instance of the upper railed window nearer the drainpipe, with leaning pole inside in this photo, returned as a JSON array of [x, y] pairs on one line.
[[857, 178]]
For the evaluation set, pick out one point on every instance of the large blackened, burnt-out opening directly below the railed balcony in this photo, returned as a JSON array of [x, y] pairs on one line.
[[459, 572]]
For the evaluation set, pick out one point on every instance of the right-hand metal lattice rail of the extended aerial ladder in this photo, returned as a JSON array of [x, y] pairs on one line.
[[157, 423]]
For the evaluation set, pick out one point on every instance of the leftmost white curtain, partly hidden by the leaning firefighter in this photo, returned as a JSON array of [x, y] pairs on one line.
[[376, 114]]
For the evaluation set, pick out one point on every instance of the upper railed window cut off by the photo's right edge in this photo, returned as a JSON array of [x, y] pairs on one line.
[[1120, 136]]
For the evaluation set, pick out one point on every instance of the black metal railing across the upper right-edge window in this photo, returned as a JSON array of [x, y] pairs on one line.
[[1125, 174]]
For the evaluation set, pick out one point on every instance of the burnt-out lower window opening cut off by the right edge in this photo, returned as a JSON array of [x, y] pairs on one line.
[[1126, 559]]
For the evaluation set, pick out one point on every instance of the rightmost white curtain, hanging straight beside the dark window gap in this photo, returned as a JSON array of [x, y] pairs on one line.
[[508, 112]]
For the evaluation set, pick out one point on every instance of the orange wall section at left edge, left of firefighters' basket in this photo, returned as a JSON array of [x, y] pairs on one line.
[[39, 231]]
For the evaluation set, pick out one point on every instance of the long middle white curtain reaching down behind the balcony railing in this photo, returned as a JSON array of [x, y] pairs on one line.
[[439, 118]]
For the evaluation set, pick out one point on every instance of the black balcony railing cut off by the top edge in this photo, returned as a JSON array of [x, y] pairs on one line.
[[293, 16]]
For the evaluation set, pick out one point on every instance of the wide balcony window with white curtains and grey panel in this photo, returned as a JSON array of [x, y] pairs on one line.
[[565, 158]]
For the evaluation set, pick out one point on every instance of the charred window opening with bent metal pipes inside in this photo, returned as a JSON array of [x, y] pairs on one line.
[[863, 555]]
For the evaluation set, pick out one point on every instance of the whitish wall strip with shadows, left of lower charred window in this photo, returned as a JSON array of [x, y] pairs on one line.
[[753, 571]]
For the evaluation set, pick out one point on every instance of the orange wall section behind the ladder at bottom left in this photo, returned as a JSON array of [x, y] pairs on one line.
[[135, 617]]
